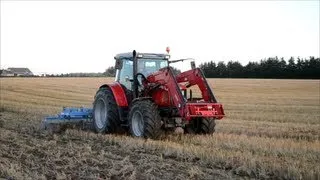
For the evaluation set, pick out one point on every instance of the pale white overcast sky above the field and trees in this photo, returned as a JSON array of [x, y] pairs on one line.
[[84, 36]]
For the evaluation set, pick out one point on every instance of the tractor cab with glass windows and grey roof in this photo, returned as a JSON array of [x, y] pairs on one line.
[[146, 63]]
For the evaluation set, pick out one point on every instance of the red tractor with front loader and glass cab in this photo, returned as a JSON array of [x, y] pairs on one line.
[[147, 97]]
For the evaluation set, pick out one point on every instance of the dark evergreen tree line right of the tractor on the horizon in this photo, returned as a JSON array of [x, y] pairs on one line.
[[272, 67]]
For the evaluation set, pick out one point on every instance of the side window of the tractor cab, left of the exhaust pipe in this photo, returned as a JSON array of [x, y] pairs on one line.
[[126, 73]]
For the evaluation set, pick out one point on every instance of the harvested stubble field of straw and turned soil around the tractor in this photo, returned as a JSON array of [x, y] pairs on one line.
[[272, 130]]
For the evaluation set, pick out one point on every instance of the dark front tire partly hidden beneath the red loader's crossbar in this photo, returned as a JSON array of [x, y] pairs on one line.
[[201, 126]]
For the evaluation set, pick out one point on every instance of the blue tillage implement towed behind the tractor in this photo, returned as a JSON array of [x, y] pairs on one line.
[[69, 115]]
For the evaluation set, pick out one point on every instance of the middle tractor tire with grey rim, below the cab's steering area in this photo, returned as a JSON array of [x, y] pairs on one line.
[[144, 119]]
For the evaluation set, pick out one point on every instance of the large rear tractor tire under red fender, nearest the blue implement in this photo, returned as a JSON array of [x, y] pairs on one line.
[[105, 112]]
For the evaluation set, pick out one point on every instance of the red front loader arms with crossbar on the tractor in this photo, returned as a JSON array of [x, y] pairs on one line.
[[167, 92]]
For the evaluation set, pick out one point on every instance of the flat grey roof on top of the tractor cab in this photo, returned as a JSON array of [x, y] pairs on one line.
[[129, 56]]
